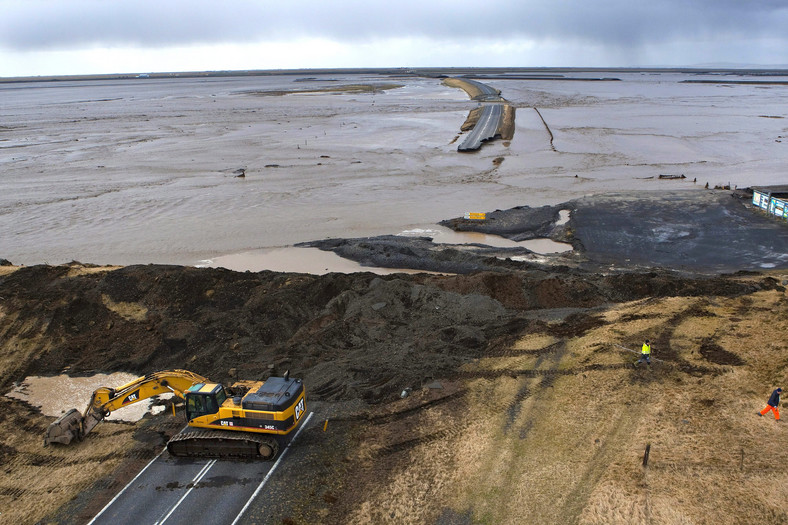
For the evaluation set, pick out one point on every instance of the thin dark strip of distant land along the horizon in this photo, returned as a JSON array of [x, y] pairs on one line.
[[402, 71]]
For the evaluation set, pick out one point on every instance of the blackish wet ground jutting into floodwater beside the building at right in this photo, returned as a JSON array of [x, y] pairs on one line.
[[709, 231]]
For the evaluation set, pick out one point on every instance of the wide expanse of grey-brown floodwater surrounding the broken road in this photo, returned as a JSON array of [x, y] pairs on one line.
[[143, 170]]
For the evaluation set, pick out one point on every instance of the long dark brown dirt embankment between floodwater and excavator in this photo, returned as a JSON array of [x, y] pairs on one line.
[[144, 318]]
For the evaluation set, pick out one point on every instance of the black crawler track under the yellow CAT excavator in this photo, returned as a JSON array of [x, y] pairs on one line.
[[223, 444]]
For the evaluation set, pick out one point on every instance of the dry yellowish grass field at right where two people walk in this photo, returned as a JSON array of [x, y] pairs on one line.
[[554, 429]]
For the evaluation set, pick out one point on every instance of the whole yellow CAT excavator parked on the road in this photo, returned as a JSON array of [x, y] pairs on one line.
[[245, 420]]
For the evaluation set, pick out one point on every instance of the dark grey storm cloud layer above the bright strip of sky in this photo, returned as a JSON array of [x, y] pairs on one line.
[[42, 24]]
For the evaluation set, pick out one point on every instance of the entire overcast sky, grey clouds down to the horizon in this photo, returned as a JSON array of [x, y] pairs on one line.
[[58, 37]]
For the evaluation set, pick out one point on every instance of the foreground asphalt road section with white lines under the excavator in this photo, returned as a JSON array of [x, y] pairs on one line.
[[177, 490]]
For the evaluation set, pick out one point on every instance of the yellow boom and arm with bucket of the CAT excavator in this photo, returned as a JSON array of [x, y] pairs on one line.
[[73, 425]]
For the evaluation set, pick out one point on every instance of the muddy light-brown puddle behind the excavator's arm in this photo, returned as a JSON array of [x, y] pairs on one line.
[[58, 394]]
